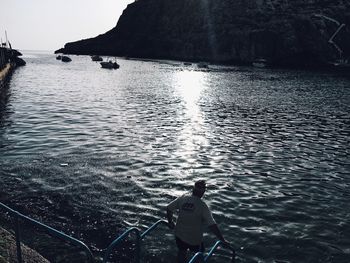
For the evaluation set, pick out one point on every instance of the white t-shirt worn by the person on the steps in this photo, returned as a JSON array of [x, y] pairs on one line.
[[194, 216]]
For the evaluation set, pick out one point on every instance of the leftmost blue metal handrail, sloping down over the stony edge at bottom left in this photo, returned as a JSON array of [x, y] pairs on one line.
[[48, 229]]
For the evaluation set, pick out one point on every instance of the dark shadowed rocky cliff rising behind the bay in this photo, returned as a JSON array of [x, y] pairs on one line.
[[285, 32]]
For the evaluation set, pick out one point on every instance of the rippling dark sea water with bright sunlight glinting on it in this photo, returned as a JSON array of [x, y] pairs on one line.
[[93, 151]]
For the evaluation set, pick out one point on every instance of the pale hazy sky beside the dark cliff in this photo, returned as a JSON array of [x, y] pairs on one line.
[[49, 24]]
